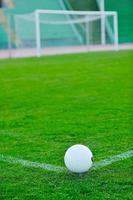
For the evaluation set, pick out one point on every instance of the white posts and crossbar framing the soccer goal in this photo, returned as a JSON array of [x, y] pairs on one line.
[[74, 17]]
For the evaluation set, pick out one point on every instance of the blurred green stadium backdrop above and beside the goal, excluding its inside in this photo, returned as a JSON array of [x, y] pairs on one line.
[[125, 14]]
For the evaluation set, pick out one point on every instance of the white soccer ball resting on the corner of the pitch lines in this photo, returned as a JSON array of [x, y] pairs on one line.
[[78, 158]]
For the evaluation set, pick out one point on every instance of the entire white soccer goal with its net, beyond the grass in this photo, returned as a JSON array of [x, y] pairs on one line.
[[66, 30]]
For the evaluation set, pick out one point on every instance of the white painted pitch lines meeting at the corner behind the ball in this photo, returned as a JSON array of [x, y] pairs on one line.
[[97, 165]]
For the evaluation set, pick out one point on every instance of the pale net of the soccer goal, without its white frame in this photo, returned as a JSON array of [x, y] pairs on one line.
[[62, 30]]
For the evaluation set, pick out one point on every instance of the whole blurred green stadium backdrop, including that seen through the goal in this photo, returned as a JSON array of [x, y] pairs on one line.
[[18, 24]]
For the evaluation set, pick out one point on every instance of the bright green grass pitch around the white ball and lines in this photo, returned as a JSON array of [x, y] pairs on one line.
[[48, 104]]
